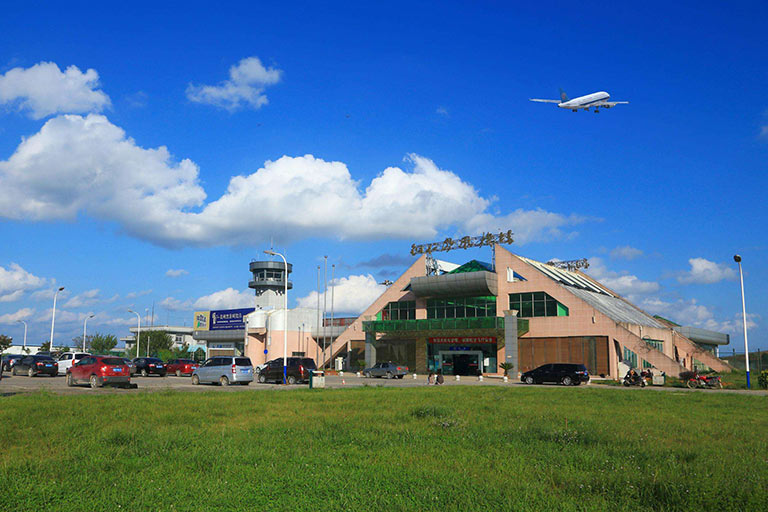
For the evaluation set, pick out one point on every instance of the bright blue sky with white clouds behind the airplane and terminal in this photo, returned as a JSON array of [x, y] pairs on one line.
[[419, 127]]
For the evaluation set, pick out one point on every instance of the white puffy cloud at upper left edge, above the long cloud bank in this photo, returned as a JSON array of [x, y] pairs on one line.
[[44, 89]]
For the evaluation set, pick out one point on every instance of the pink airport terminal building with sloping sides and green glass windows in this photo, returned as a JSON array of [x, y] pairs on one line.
[[468, 319]]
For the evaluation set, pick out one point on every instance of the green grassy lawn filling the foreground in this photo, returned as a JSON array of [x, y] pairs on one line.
[[450, 448]]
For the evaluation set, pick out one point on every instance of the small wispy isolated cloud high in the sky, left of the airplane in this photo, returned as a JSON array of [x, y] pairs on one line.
[[245, 87]]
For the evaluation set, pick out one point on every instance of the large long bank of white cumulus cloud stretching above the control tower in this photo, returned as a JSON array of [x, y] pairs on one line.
[[78, 164]]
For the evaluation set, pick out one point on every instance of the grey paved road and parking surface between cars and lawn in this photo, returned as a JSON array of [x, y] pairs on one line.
[[24, 384]]
